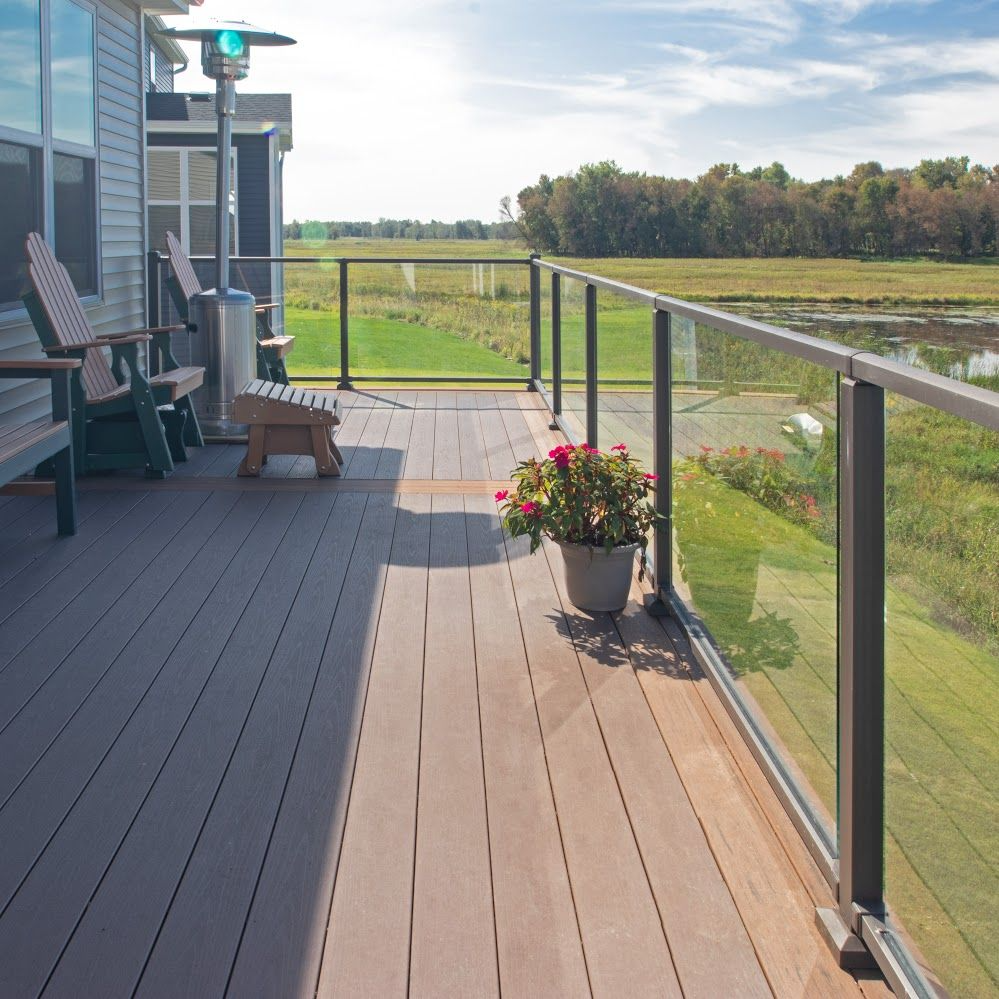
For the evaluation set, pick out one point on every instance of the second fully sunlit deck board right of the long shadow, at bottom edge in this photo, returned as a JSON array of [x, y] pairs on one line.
[[454, 938]]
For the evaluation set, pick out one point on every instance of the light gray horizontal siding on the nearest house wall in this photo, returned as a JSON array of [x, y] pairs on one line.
[[120, 125]]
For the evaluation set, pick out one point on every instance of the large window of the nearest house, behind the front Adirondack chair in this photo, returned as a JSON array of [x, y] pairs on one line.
[[48, 140]]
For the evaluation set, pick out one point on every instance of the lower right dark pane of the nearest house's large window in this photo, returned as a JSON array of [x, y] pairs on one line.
[[75, 225]]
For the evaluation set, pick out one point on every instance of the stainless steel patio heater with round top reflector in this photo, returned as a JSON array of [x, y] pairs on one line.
[[225, 340]]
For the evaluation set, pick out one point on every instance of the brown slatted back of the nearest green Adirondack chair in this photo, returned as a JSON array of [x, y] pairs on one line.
[[65, 315]]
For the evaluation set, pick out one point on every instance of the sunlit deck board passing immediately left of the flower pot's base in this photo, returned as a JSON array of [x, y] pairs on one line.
[[626, 949]]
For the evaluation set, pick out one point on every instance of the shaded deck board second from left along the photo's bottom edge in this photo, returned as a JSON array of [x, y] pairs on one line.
[[111, 943]]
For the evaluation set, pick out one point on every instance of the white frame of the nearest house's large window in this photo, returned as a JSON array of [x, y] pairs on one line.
[[50, 146]]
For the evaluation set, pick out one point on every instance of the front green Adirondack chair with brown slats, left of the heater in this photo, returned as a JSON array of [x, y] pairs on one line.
[[120, 418]]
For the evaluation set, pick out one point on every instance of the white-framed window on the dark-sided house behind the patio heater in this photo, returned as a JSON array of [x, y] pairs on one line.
[[182, 199]]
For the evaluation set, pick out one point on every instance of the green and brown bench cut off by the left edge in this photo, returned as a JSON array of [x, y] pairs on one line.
[[25, 446]]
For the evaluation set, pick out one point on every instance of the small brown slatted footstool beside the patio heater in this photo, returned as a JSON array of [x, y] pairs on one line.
[[286, 420]]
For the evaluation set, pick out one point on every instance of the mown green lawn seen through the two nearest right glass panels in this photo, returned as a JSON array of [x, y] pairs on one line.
[[766, 590]]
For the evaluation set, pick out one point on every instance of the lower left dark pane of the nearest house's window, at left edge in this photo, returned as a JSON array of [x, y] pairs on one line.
[[21, 214]]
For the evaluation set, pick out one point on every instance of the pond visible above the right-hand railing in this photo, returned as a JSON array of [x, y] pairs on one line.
[[961, 343]]
